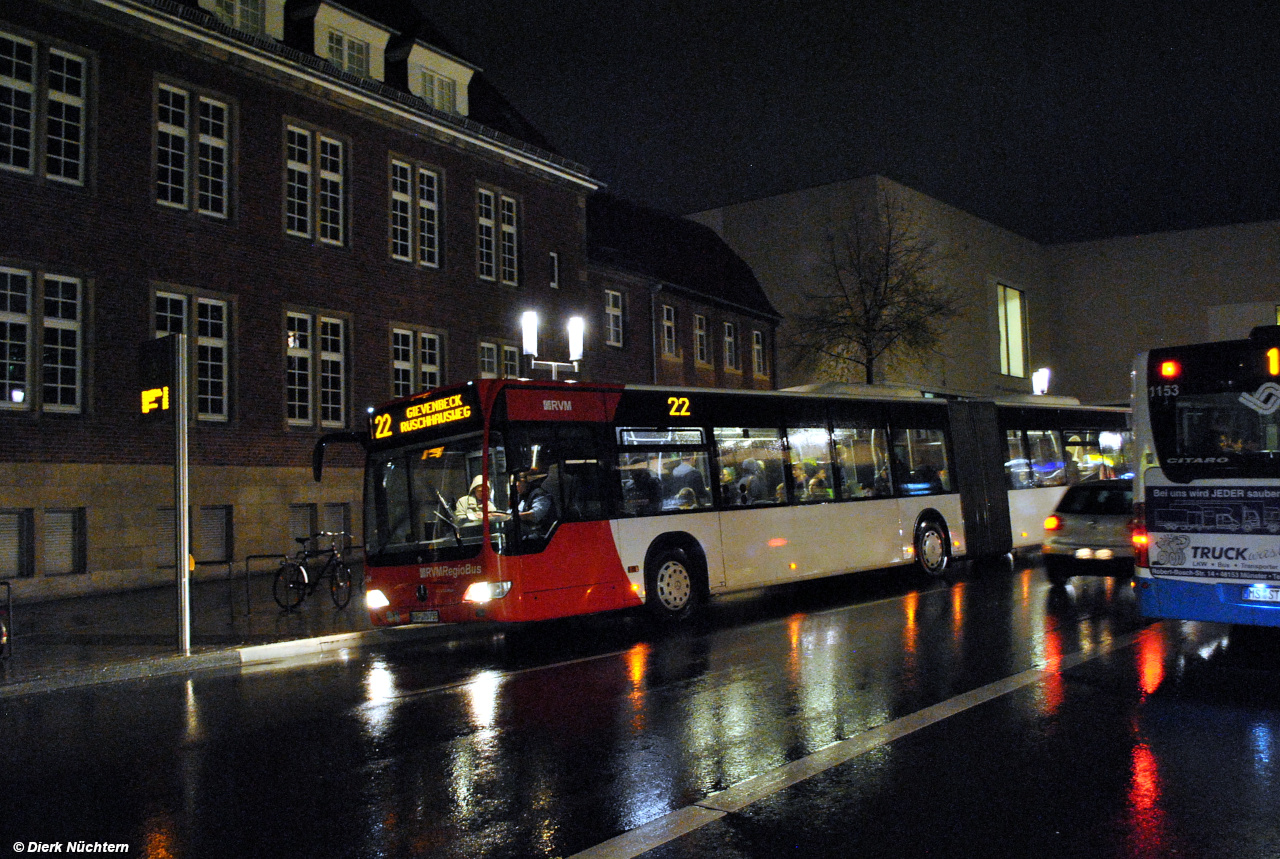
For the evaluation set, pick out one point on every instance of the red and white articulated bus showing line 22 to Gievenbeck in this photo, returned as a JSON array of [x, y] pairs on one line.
[[522, 501]]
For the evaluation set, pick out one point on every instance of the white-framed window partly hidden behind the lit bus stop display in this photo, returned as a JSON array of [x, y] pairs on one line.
[[209, 350]]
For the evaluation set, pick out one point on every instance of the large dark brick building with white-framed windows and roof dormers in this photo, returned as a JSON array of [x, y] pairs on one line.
[[336, 211]]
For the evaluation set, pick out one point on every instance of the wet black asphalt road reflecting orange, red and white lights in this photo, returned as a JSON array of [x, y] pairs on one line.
[[868, 716]]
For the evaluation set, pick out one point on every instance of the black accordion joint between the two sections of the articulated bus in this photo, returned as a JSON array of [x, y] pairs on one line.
[[980, 459]]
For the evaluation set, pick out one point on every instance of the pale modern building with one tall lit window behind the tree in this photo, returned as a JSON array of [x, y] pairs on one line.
[[1082, 310]]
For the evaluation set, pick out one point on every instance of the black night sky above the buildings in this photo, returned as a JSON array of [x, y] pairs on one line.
[[1058, 121]]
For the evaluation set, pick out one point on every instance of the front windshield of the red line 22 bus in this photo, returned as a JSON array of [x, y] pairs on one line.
[[426, 501]]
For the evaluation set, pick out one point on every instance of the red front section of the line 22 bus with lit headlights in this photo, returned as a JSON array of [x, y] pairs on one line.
[[486, 502]]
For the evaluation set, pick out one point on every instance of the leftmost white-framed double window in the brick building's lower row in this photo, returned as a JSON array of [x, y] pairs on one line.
[[53, 307]]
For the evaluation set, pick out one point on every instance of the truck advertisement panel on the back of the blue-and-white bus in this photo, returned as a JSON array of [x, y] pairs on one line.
[[1215, 532]]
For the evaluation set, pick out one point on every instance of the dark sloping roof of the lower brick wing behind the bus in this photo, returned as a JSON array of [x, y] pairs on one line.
[[676, 252]]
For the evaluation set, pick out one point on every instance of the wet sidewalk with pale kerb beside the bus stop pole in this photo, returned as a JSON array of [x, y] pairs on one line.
[[85, 641]]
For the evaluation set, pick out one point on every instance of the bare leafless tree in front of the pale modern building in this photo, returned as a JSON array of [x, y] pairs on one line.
[[883, 295]]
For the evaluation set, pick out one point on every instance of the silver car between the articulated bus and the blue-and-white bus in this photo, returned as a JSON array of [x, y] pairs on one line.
[[1091, 532]]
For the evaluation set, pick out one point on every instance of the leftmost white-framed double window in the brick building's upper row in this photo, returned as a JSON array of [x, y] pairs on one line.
[[53, 104]]
